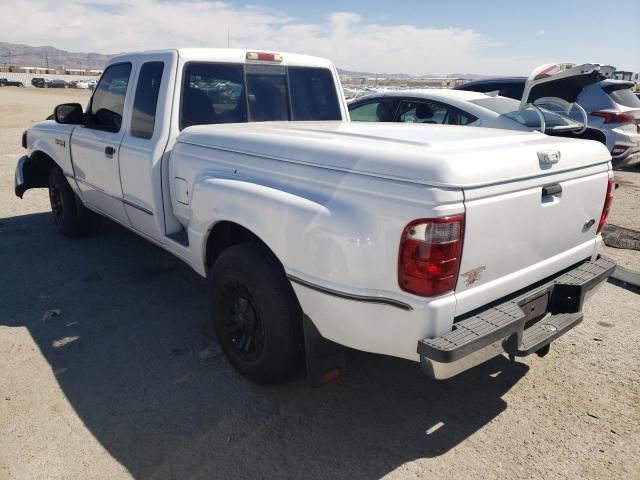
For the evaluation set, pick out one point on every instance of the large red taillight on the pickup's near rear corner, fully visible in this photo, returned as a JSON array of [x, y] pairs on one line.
[[429, 258]]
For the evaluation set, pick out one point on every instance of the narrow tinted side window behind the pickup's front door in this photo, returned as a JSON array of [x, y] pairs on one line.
[[145, 103]]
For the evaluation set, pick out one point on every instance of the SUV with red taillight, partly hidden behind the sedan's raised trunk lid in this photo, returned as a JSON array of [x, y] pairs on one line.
[[613, 113]]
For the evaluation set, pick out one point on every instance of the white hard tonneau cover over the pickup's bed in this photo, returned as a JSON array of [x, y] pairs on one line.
[[437, 155]]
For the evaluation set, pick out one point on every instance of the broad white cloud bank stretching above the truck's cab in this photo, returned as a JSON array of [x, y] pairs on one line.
[[111, 26]]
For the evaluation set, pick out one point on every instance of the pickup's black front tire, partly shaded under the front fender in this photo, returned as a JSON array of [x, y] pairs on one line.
[[73, 219]]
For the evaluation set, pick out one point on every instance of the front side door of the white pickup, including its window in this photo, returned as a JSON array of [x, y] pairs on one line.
[[95, 145]]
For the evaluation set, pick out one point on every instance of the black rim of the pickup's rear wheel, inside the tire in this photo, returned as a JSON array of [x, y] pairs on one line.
[[241, 324]]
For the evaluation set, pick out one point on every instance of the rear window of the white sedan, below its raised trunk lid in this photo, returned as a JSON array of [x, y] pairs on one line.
[[508, 107]]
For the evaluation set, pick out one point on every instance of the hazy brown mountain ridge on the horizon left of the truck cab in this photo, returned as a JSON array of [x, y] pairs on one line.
[[27, 56]]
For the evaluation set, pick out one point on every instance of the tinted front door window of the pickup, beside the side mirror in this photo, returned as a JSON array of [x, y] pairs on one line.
[[107, 103]]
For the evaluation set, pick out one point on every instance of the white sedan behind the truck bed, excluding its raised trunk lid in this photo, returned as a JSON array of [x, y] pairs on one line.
[[456, 107]]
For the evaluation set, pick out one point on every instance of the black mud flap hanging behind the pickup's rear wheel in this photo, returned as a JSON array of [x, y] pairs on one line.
[[326, 360]]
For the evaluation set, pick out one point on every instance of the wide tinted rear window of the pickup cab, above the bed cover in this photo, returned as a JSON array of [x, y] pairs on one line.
[[214, 93]]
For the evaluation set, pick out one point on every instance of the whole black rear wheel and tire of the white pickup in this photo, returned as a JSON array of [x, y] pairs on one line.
[[256, 316]]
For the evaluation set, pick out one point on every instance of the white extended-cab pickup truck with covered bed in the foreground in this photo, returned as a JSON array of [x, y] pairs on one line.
[[440, 244]]
